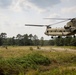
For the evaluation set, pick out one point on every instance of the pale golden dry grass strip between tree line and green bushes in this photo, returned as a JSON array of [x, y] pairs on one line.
[[18, 51]]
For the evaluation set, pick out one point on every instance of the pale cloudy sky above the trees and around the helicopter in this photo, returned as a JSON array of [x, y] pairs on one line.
[[14, 14]]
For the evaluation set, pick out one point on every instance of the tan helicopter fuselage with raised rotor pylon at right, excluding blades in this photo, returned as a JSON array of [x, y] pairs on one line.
[[68, 29]]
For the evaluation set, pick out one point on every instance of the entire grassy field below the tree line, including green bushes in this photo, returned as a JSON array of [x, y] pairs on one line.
[[32, 60]]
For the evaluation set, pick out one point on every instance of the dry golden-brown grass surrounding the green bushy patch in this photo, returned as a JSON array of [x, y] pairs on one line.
[[62, 60]]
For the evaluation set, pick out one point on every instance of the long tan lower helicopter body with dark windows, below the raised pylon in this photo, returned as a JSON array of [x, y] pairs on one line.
[[60, 31]]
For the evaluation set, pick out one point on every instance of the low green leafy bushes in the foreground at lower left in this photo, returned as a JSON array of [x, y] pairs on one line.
[[15, 66]]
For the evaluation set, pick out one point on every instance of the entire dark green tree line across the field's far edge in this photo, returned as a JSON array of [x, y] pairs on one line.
[[33, 40]]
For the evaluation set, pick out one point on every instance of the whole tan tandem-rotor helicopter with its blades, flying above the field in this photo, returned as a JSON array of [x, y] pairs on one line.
[[67, 30]]
